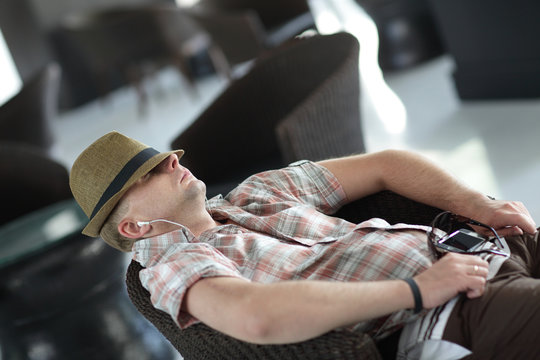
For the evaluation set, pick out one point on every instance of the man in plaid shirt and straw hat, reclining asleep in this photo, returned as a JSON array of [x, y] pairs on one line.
[[266, 264]]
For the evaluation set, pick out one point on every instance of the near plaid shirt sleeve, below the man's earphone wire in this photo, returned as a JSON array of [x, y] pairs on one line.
[[170, 278]]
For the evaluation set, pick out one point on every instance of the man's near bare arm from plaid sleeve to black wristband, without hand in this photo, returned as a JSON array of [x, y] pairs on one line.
[[292, 311]]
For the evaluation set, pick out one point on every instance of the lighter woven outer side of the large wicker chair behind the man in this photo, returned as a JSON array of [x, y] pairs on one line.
[[327, 123]]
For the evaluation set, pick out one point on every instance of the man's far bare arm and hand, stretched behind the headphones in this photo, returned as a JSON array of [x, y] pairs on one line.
[[417, 178]]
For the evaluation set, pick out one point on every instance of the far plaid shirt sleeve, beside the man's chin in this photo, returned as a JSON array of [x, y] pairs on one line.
[[301, 182]]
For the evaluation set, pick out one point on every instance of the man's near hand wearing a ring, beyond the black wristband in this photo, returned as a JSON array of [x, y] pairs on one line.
[[453, 274]]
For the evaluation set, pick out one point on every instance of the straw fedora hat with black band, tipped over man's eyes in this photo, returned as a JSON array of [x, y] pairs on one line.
[[105, 170]]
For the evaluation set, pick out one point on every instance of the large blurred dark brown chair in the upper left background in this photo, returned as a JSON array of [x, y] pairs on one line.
[[109, 48]]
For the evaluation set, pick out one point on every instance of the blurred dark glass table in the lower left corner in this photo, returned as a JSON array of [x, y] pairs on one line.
[[63, 295]]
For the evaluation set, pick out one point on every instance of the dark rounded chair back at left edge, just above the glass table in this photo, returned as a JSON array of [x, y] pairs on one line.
[[29, 179]]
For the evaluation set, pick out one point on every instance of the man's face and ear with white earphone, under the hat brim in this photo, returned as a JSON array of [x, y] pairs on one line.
[[169, 191]]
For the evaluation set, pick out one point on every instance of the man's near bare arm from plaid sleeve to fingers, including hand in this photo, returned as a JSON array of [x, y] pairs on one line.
[[292, 311]]
